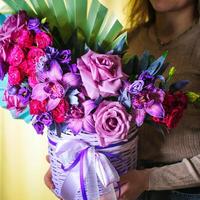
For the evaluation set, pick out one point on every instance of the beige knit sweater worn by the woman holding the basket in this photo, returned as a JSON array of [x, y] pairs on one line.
[[181, 145]]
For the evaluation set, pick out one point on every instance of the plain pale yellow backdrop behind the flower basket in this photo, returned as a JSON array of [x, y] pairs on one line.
[[22, 151]]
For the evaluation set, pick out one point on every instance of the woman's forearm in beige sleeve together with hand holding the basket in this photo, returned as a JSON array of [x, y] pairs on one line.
[[185, 174]]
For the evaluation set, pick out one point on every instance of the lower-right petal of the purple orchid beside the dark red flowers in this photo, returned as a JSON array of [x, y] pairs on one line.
[[156, 110]]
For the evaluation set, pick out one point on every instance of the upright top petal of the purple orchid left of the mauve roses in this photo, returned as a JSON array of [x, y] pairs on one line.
[[55, 72]]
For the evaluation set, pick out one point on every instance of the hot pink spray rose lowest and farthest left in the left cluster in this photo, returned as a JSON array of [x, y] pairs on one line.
[[14, 76]]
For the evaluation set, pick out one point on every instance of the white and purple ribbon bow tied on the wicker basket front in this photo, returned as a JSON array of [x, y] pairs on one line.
[[84, 166]]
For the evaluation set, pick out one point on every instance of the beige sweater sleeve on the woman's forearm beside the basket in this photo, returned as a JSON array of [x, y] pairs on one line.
[[185, 174]]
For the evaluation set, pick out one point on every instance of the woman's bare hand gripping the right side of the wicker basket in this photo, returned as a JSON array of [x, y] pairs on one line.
[[134, 183]]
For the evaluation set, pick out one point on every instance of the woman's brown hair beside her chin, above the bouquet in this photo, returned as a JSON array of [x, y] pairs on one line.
[[142, 12]]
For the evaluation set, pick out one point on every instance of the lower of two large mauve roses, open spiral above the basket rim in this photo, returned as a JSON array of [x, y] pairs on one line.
[[112, 122]]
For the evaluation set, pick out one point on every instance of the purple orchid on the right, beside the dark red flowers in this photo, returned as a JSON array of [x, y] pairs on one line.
[[149, 101]]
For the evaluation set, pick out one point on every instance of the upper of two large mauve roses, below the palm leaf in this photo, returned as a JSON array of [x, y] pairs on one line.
[[101, 74]]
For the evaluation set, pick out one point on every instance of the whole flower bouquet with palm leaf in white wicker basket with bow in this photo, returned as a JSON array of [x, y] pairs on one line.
[[73, 77]]
